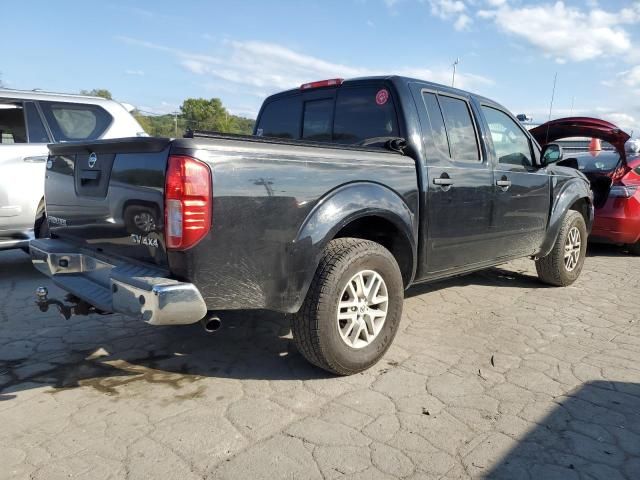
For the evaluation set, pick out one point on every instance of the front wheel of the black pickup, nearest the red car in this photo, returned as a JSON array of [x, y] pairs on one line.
[[554, 269]]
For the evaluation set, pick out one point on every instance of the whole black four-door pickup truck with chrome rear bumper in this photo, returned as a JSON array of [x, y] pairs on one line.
[[348, 193]]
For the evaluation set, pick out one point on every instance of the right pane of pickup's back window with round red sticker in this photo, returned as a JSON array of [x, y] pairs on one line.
[[364, 112]]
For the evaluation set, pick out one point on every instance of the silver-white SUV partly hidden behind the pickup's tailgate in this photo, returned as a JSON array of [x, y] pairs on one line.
[[29, 120]]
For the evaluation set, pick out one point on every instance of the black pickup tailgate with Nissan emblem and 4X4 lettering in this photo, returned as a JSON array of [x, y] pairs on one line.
[[108, 196]]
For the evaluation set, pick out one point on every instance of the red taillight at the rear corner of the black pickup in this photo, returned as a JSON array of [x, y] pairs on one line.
[[187, 202]]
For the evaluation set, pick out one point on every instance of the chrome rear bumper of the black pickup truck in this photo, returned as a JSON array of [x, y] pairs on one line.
[[119, 287]]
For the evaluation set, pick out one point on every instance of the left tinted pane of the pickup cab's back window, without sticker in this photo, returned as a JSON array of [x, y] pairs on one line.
[[281, 119]]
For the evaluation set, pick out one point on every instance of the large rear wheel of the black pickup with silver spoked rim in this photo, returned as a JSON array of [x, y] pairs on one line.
[[316, 327]]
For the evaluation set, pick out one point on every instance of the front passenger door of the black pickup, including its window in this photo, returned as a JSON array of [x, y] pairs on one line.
[[522, 188]]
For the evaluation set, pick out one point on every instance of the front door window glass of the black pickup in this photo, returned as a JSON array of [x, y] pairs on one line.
[[509, 141]]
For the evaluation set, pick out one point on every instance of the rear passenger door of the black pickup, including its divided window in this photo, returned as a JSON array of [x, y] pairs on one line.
[[457, 225]]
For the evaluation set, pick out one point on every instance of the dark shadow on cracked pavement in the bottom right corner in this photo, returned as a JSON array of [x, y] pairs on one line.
[[594, 433]]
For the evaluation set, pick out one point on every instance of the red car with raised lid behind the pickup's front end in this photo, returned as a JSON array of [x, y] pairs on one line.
[[614, 176]]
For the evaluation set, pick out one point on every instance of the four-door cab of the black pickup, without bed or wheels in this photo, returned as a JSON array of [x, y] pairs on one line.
[[485, 195]]
